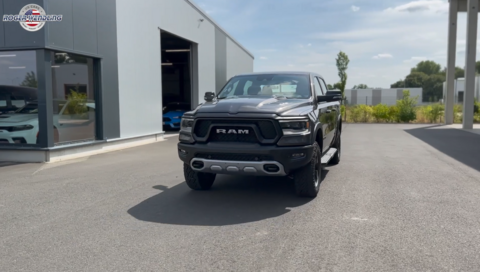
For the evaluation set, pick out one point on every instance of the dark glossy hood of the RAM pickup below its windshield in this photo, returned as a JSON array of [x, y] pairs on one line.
[[252, 105]]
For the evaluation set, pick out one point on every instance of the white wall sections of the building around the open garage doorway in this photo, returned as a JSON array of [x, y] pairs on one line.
[[139, 58]]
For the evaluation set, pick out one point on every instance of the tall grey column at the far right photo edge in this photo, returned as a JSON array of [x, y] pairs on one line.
[[470, 60]]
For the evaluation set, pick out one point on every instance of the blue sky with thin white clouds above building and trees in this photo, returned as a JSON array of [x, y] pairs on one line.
[[383, 39]]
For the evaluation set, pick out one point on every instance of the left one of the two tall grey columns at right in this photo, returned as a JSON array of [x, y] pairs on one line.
[[451, 58]]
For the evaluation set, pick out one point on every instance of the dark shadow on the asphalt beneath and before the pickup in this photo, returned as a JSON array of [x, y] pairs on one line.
[[232, 200]]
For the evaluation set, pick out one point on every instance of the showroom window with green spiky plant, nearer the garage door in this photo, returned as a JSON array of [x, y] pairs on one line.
[[73, 98]]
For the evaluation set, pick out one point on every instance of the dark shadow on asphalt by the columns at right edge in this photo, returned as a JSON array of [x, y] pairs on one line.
[[460, 145]]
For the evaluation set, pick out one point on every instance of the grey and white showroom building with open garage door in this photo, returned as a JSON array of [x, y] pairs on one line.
[[105, 73]]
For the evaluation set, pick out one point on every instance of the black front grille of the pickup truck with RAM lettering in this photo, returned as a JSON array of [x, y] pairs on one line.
[[265, 127]]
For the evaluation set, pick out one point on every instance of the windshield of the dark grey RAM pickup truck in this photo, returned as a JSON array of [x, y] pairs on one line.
[[275, 85]]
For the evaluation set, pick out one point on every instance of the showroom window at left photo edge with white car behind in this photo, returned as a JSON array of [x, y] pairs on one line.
[[18, 98]]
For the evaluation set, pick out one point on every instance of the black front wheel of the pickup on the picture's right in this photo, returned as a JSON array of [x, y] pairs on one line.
[[307, 179]]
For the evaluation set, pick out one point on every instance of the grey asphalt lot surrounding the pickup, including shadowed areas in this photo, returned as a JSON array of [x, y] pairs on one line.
[[404, 198]]
